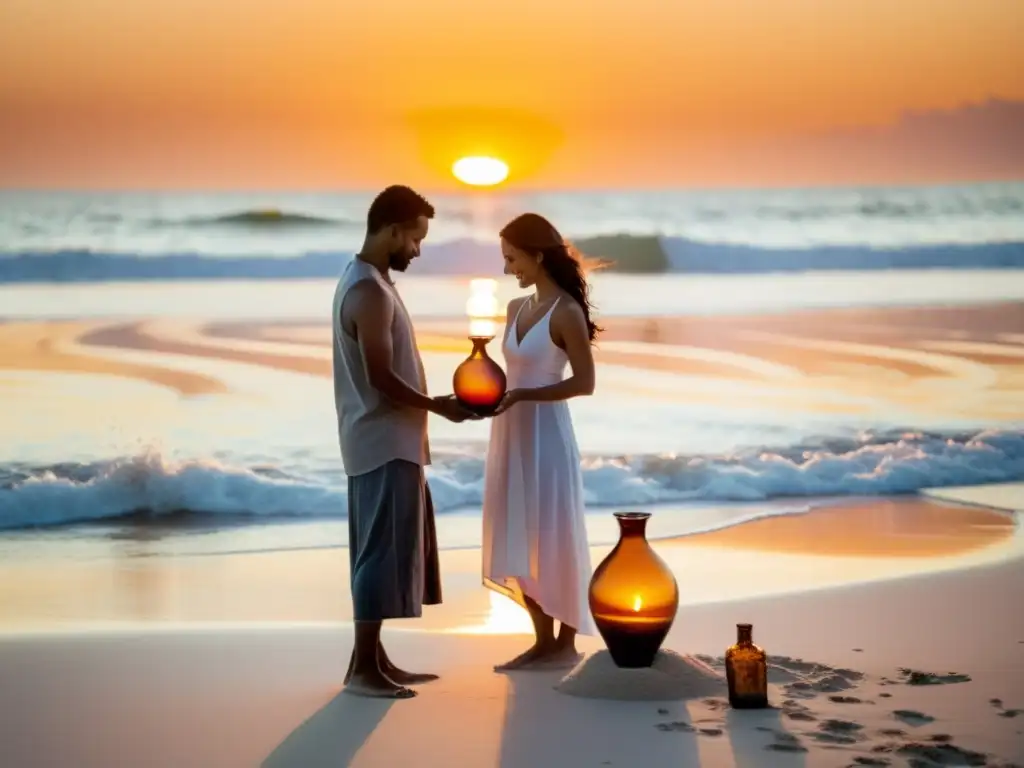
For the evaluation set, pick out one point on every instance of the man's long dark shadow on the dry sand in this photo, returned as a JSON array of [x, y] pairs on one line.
[[333, 736]]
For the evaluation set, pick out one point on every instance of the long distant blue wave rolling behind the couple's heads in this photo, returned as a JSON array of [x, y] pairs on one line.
[[626, 253]]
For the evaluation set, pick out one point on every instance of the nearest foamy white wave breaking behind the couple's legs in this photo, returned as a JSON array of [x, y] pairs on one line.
[[150, 486]]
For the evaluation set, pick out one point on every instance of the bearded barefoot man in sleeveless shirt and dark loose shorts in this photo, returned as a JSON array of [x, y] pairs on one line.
[[381, 399]]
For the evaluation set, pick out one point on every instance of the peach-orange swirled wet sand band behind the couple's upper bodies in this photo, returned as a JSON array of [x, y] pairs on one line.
[[967, 363]]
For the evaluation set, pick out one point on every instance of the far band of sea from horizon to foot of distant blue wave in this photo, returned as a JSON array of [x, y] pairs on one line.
[[52, 237]]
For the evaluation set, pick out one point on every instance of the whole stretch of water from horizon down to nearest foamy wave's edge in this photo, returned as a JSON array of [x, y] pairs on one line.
[[165, 358]]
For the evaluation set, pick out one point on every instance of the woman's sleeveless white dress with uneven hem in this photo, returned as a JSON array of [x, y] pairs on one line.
[[535, 538]]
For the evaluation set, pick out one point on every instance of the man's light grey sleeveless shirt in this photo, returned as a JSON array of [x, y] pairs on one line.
[[372, 430]]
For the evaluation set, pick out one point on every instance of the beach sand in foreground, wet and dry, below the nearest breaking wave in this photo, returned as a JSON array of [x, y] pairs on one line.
[[247, 681]]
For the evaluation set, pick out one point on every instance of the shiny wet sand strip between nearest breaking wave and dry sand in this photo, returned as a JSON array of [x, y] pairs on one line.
[[845, 544]]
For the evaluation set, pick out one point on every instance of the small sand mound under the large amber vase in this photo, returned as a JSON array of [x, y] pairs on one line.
[[672, 677]]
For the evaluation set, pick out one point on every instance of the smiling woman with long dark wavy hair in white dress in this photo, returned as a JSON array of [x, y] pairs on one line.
[[535, 540]]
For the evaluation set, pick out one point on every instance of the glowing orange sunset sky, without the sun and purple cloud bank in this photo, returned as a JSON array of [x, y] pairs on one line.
[[574, 94]]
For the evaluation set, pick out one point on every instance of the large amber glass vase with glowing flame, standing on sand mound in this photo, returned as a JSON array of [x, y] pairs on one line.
[[633, 595]]
